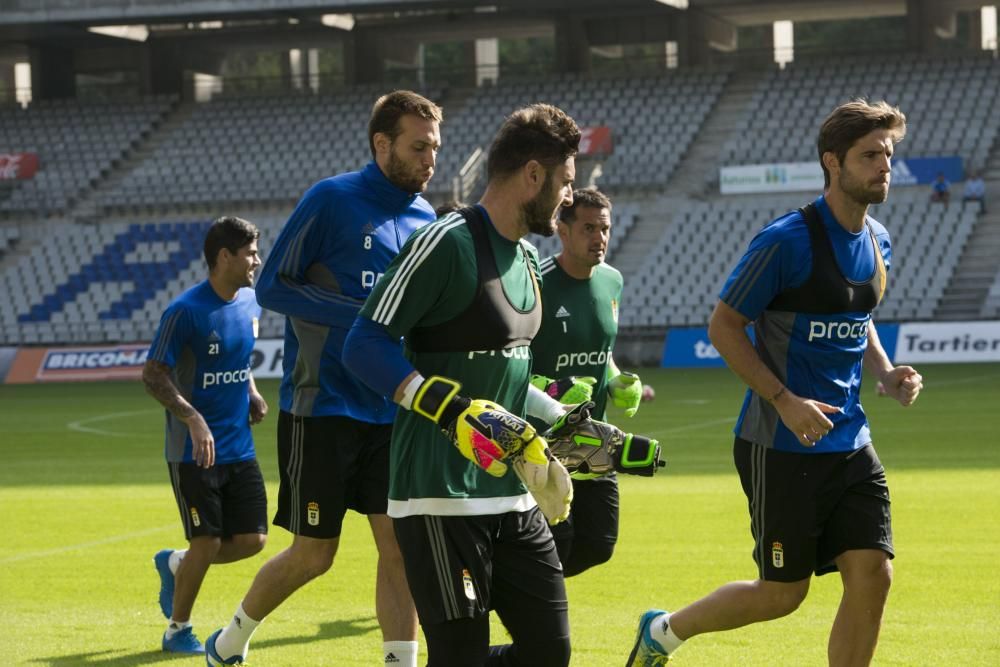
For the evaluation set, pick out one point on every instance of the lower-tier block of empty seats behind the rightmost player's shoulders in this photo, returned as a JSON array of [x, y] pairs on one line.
[[679, 282]]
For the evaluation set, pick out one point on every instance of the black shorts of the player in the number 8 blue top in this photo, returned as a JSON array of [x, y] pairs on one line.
[[327, 466]]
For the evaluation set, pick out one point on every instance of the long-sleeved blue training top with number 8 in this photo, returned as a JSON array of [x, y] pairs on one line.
[[338, 241]]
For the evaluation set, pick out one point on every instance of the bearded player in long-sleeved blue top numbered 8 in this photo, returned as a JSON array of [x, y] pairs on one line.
[[334, 431]]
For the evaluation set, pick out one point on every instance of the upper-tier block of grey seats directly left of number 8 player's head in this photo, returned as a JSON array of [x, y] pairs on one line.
[[250, 149]]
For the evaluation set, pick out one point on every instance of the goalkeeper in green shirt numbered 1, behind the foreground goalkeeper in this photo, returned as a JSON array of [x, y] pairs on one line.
[[573, 364]]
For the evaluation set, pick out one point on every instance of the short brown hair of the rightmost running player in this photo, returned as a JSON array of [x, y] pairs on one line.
[[853, 120]]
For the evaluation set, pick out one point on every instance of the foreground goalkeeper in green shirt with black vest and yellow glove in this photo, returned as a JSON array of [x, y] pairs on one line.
[[472, 487]]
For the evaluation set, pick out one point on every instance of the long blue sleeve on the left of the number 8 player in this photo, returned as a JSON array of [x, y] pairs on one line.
[[283, 285]]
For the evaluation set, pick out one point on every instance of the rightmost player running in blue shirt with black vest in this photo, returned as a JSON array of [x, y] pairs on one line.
[[817, 492]]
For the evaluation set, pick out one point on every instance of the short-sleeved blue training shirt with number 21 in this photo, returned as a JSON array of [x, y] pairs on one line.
[[208, 343]]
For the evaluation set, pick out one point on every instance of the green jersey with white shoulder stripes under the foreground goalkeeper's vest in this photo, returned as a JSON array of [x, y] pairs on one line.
[[432, 281]]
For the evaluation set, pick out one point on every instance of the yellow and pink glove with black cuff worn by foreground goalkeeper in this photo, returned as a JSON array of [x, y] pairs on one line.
[[483, 431]]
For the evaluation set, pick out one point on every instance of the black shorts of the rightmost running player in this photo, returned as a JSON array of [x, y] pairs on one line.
[[807, 509]]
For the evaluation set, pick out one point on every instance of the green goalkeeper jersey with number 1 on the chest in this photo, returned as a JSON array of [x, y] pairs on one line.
[[579, 326]]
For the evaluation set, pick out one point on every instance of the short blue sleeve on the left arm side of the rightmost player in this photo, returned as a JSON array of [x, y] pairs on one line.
[[778, 258]]
